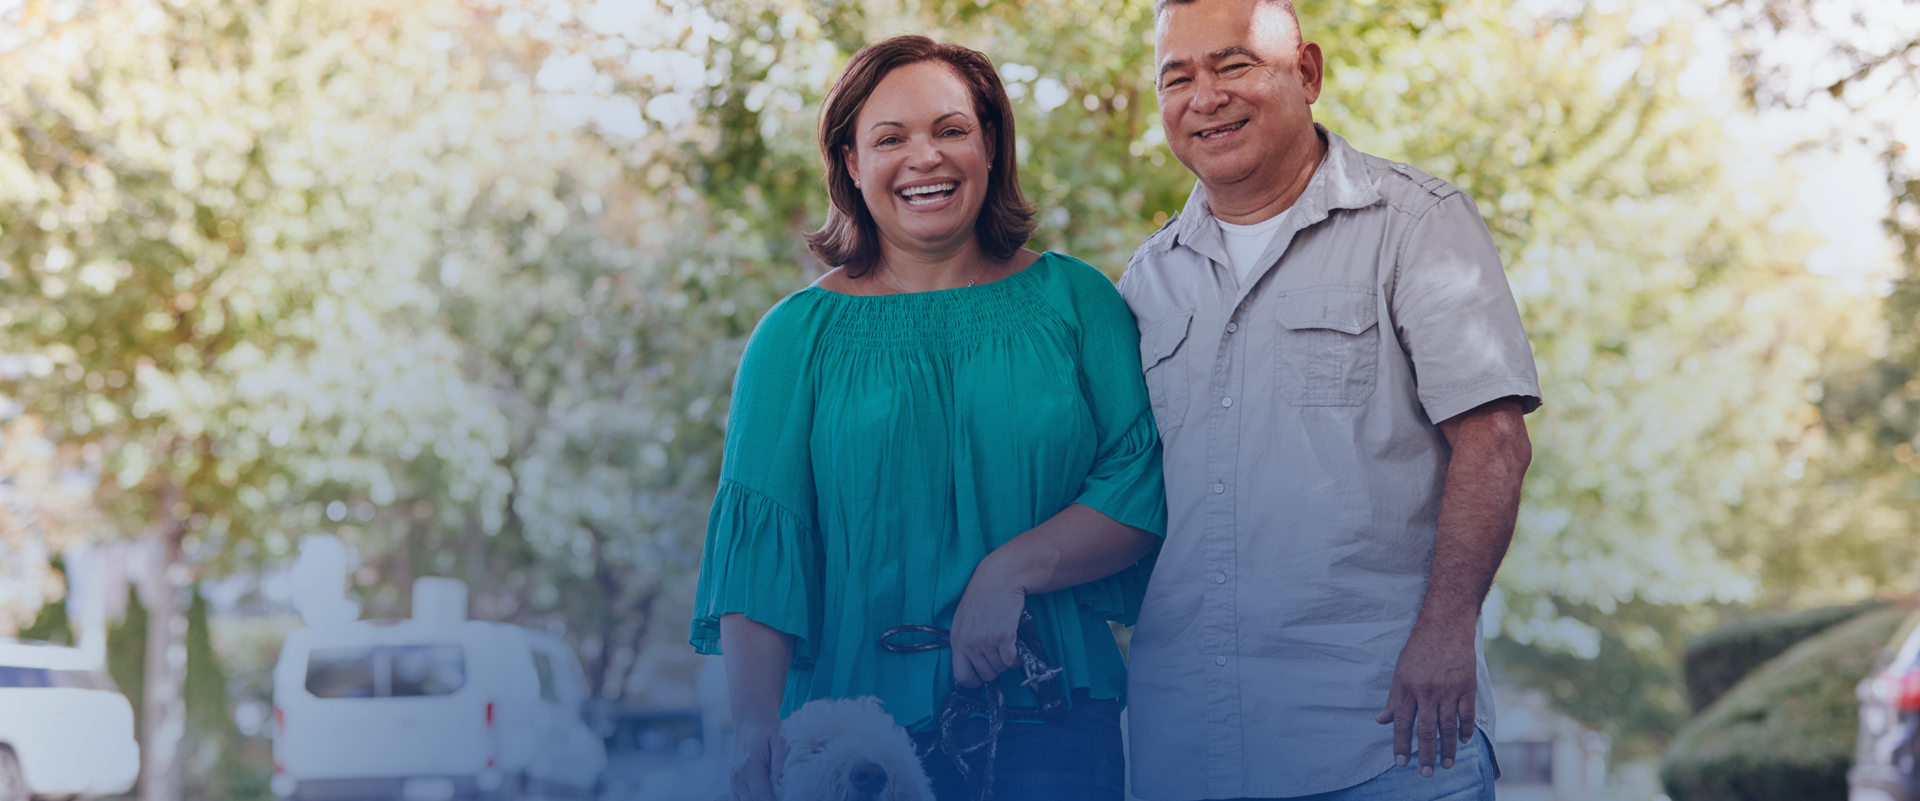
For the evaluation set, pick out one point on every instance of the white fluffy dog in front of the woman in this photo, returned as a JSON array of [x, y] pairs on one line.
[[850, 750]]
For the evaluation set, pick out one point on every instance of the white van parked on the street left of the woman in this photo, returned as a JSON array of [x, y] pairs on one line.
[[431, 712]]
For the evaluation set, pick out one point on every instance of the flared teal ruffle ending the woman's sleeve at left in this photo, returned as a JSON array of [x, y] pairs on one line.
[[761, 562]]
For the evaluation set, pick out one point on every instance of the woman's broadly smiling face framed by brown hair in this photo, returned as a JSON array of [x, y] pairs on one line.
[[921, 158]]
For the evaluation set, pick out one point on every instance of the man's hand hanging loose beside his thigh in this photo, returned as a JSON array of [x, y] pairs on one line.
[[1433, 692]]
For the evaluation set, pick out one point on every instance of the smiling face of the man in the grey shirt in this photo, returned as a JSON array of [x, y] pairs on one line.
[[1236, 87]]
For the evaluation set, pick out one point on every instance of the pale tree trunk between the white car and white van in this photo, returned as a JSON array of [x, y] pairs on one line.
[[164, 708]]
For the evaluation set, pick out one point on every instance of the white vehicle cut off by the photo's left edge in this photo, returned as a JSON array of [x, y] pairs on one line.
[[64, 729]]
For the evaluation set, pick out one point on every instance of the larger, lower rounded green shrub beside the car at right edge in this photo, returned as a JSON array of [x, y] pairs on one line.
[[1787, 731]]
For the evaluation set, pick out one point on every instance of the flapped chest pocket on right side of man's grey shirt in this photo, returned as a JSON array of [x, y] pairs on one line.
[[1328, 351]]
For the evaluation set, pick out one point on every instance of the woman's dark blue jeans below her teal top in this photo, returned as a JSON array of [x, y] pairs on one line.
[[1074, 760]]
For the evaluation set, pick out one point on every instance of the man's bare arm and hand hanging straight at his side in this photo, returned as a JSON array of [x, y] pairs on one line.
[[1435, 681]]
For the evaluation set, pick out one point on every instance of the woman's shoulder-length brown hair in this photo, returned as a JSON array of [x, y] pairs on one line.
[[850, 239]]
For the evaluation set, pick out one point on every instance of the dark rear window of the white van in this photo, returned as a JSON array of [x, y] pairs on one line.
[[387, 671]]
